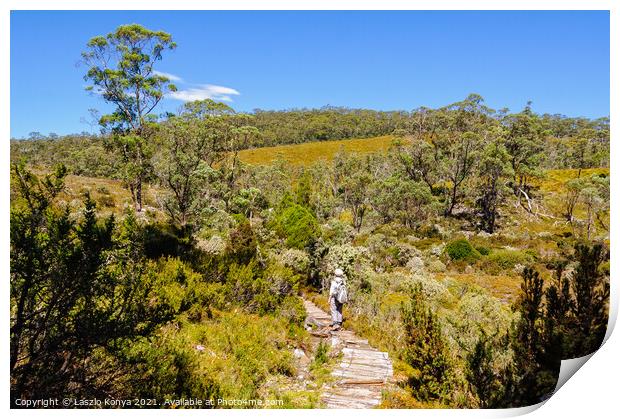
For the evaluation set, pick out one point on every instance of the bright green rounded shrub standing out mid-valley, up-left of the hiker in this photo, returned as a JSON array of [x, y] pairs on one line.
[[298, 225]]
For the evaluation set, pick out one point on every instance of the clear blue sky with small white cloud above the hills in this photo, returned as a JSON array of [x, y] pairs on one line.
[[280, 60]]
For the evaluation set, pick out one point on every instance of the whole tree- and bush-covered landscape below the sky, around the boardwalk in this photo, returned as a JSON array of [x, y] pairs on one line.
[[151, 262]]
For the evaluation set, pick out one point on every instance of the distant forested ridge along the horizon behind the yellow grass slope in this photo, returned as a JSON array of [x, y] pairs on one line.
[[90, 155]]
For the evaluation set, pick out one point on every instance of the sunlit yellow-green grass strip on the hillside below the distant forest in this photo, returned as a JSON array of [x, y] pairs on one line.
[[308, 153]]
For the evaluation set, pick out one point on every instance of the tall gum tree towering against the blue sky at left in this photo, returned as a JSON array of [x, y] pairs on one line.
[[121, 70]]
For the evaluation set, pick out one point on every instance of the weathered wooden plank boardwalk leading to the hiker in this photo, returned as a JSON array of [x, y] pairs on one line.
[[362, 372]]
